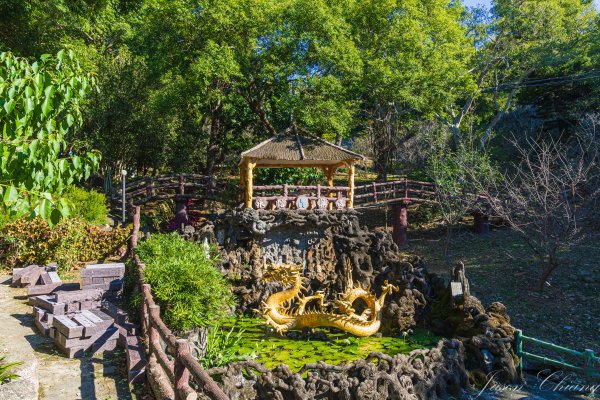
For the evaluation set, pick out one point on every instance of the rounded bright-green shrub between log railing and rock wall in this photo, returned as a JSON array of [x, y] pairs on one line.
[[185, 282]]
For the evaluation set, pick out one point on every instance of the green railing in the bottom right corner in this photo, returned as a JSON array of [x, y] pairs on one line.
[[589, 365]]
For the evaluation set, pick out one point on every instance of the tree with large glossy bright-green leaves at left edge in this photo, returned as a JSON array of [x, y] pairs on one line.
[[41, 109]]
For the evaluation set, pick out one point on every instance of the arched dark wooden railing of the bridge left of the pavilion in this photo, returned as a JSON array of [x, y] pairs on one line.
[[165, 187]]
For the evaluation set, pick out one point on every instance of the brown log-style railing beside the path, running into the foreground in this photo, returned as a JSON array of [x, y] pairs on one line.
[[174, 375]]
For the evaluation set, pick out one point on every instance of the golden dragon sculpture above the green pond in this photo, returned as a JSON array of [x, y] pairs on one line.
[[289, 309]]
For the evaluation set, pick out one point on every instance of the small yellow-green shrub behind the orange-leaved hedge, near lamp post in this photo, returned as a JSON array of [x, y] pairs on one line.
[[87, 205]]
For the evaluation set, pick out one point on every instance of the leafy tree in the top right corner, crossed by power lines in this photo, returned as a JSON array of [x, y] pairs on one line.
[[519, 43]]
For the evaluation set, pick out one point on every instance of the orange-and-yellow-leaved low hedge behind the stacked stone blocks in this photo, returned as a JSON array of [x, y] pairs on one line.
[[70, 243]]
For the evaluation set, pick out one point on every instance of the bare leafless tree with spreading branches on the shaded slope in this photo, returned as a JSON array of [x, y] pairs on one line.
[[549, 196]]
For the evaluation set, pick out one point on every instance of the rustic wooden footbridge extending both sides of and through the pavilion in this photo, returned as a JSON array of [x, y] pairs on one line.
[[398, 194]]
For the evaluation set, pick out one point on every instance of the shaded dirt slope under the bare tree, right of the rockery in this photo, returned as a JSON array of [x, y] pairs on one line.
[[501, 267]]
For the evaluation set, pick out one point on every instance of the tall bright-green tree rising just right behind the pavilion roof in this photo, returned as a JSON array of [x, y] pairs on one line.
[[415, 57]]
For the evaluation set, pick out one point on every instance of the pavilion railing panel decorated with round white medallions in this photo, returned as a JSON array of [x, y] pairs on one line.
[[300, 197]]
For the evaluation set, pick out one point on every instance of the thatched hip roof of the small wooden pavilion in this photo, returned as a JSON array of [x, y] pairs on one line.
[[295, 147]]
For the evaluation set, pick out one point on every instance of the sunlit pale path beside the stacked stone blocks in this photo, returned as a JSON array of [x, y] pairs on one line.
[[60, 378]]
